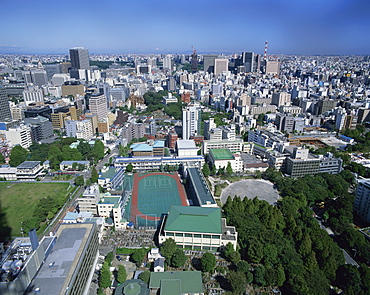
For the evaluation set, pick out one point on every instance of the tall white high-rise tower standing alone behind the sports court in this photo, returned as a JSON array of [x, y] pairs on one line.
[[191, 118]]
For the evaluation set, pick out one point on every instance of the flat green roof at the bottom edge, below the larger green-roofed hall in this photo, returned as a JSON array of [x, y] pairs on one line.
[[190, 282]]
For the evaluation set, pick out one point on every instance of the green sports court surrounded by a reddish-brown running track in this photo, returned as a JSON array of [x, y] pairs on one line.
[[152, 195]]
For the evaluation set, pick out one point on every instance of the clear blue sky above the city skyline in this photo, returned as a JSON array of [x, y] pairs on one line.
[[308, 27]]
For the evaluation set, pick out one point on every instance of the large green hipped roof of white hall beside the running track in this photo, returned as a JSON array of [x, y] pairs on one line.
[[194, 219]]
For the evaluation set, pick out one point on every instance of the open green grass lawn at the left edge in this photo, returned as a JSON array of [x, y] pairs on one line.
[[18, 201]]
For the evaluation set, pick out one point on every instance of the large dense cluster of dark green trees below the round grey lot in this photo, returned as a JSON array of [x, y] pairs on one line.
[[285, 244]]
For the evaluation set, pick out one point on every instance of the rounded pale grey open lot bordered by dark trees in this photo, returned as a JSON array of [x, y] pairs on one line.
[[251, 188]]
